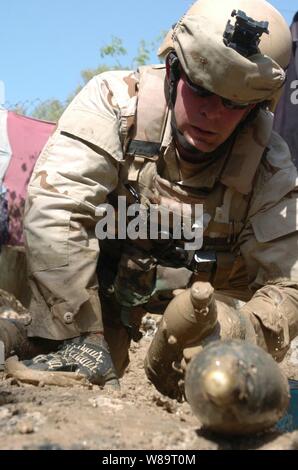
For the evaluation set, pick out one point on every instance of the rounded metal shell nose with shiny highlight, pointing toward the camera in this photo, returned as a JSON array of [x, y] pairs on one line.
[[234, 387]]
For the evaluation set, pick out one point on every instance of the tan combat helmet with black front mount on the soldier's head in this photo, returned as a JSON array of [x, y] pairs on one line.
[[210, 43]]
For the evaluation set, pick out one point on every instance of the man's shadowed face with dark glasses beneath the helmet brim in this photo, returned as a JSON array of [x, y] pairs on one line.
[[204, 121]]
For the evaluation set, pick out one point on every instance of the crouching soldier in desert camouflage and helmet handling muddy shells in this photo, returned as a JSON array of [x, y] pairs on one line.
[[196, 131]]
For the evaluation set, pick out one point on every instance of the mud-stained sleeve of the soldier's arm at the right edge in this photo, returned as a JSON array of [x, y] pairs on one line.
[[269, 245]]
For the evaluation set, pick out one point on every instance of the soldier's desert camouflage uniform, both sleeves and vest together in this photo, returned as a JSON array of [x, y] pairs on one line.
[[249, 195]]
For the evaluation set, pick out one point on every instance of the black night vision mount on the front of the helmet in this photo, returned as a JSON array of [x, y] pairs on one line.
[[245, 36]]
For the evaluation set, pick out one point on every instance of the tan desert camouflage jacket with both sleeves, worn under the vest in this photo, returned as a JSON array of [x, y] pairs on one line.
[[83, 163]]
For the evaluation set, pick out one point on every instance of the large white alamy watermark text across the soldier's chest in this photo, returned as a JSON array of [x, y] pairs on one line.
[[155, 222]]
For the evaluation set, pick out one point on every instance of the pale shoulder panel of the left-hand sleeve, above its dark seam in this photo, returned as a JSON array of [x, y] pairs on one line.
[[99, 113]]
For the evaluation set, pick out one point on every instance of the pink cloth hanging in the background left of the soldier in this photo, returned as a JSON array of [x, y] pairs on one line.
[[27, 138]]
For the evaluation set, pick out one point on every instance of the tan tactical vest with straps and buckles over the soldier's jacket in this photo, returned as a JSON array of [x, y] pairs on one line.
[[149, 170]]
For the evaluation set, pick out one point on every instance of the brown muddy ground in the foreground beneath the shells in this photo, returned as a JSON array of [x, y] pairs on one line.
[[138, 417]]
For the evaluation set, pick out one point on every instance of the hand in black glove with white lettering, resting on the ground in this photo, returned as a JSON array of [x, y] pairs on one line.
[[88, 355]]
